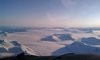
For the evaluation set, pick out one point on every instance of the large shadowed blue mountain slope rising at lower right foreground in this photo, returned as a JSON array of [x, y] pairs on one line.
[[78, 48]]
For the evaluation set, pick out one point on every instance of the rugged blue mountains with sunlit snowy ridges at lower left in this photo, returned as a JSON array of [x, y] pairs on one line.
[[9, 48]]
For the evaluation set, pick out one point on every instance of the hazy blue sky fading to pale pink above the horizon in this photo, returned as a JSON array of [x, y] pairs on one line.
[[50, 13]]
